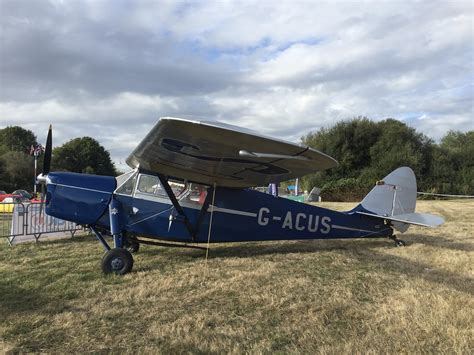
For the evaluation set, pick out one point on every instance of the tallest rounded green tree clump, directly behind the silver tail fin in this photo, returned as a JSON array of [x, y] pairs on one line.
[[367, 151]]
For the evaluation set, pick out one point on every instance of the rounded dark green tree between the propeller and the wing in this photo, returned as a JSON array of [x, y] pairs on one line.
[[83, 155]]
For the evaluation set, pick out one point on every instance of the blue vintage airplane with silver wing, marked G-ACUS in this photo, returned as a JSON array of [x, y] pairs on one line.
[[191, 182]]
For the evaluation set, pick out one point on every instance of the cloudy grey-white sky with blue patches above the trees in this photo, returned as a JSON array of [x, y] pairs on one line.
[[110, 69]]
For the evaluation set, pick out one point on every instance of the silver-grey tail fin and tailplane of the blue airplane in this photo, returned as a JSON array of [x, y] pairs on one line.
[[394, 199]]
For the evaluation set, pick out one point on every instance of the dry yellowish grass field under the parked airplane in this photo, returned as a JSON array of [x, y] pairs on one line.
[[354, 296]]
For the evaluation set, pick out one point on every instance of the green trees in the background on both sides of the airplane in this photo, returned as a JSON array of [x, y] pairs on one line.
[[366, 152]]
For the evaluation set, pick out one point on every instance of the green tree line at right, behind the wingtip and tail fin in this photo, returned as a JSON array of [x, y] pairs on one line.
[[367, 151]]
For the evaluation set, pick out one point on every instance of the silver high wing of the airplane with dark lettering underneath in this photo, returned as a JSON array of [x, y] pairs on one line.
[[211, 152]]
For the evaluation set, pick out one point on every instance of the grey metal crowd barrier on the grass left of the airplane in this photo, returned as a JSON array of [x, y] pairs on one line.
[[23, 222]]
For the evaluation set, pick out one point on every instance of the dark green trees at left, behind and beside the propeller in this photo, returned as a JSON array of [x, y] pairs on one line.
[[81, 155]]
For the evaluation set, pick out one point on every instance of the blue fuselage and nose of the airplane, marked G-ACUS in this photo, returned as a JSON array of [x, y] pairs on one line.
[[238, 215]]
